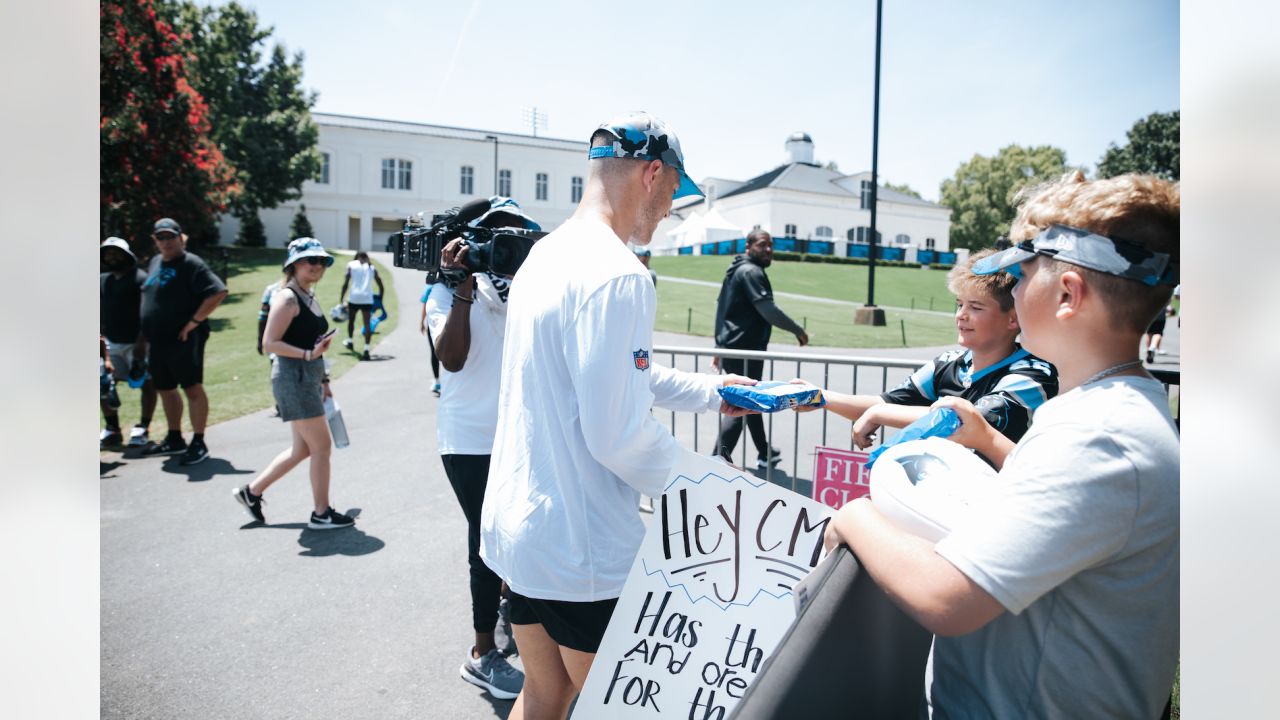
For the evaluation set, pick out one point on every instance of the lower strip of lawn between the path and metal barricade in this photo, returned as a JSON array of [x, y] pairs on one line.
[[692, 309]]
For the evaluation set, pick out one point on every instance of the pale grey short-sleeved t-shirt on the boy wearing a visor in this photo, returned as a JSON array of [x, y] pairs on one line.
[[1081, 546]]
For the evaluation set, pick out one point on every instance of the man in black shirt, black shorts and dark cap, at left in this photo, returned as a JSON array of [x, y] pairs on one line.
[[179, 297]]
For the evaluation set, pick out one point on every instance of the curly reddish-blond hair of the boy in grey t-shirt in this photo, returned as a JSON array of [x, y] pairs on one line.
[[1140, 209]]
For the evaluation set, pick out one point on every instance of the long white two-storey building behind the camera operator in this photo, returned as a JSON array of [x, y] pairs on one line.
[[376, 174]]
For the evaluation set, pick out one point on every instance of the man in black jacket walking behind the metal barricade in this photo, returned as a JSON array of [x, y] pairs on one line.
[[746, 316]]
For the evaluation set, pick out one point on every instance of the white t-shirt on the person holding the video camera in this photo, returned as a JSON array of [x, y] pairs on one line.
[[468, 411]]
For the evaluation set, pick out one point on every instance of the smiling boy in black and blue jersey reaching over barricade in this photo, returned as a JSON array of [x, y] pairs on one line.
[[1005, 382]]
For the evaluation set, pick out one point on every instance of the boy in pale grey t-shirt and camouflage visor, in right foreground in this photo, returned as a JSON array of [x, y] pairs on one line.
[[1059, 596]]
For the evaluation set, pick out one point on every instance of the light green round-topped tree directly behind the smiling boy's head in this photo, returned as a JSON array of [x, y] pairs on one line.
[[982, 192]]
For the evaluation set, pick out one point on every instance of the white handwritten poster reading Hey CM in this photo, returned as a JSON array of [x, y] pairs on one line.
[[708, 598]]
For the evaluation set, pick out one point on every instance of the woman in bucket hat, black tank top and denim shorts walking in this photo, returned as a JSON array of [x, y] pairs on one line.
[[299, 335]]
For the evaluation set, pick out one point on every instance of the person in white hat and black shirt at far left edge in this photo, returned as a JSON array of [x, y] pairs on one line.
[[120, 304]]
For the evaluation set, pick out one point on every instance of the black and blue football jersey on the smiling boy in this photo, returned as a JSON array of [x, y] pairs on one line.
[[1007, 393]]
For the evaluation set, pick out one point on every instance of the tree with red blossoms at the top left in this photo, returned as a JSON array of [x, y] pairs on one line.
[[157, 154]]
